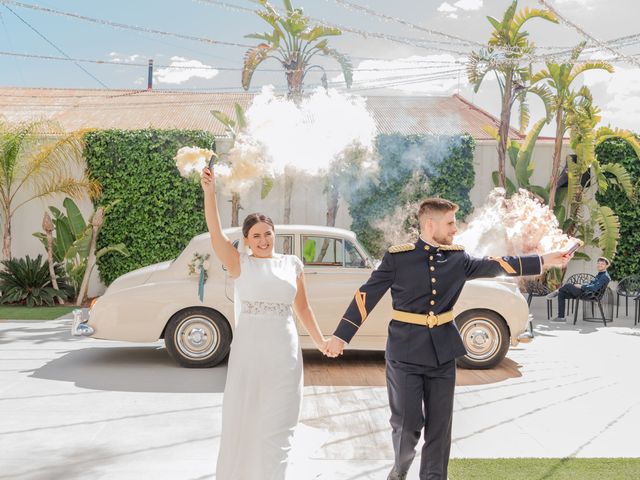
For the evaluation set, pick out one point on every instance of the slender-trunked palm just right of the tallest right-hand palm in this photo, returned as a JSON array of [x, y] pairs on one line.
[[559, 78]]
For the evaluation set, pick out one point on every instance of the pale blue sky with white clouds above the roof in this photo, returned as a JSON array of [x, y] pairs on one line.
[[391, 57]]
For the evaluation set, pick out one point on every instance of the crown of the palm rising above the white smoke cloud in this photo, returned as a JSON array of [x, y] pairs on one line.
[[293, 43]]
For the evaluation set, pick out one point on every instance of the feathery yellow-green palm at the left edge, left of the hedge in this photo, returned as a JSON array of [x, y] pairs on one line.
[[44, 160]]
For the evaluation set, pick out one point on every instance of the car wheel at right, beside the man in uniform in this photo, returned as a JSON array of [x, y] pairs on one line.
[[485, 336]]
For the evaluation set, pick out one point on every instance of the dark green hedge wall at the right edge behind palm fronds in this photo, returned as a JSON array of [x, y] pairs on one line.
[[627, 260]]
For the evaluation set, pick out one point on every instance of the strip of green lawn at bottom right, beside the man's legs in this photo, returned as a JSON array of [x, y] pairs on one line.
[[545, 469]]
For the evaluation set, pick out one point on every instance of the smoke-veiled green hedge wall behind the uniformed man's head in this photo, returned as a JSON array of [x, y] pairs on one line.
[[431, 165]]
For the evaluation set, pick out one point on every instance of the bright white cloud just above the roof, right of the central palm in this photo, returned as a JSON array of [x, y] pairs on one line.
[[430, 75]]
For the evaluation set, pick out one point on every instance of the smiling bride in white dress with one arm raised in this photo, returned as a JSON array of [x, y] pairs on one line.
[[263, 393]]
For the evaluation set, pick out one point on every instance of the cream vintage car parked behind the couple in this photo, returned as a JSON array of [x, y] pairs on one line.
[[161, 301]]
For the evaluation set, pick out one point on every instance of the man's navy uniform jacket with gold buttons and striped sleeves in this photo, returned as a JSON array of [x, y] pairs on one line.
[[425, 279]]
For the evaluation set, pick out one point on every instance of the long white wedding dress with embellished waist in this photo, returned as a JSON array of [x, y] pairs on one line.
[[263, 393]]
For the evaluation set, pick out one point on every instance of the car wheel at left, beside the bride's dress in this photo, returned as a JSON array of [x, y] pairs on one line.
[[198, 337]]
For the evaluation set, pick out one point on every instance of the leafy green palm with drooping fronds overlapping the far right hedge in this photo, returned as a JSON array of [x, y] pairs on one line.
[[582, 212]]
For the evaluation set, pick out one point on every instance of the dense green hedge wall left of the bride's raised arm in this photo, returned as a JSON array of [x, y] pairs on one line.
[[158, 211]]
